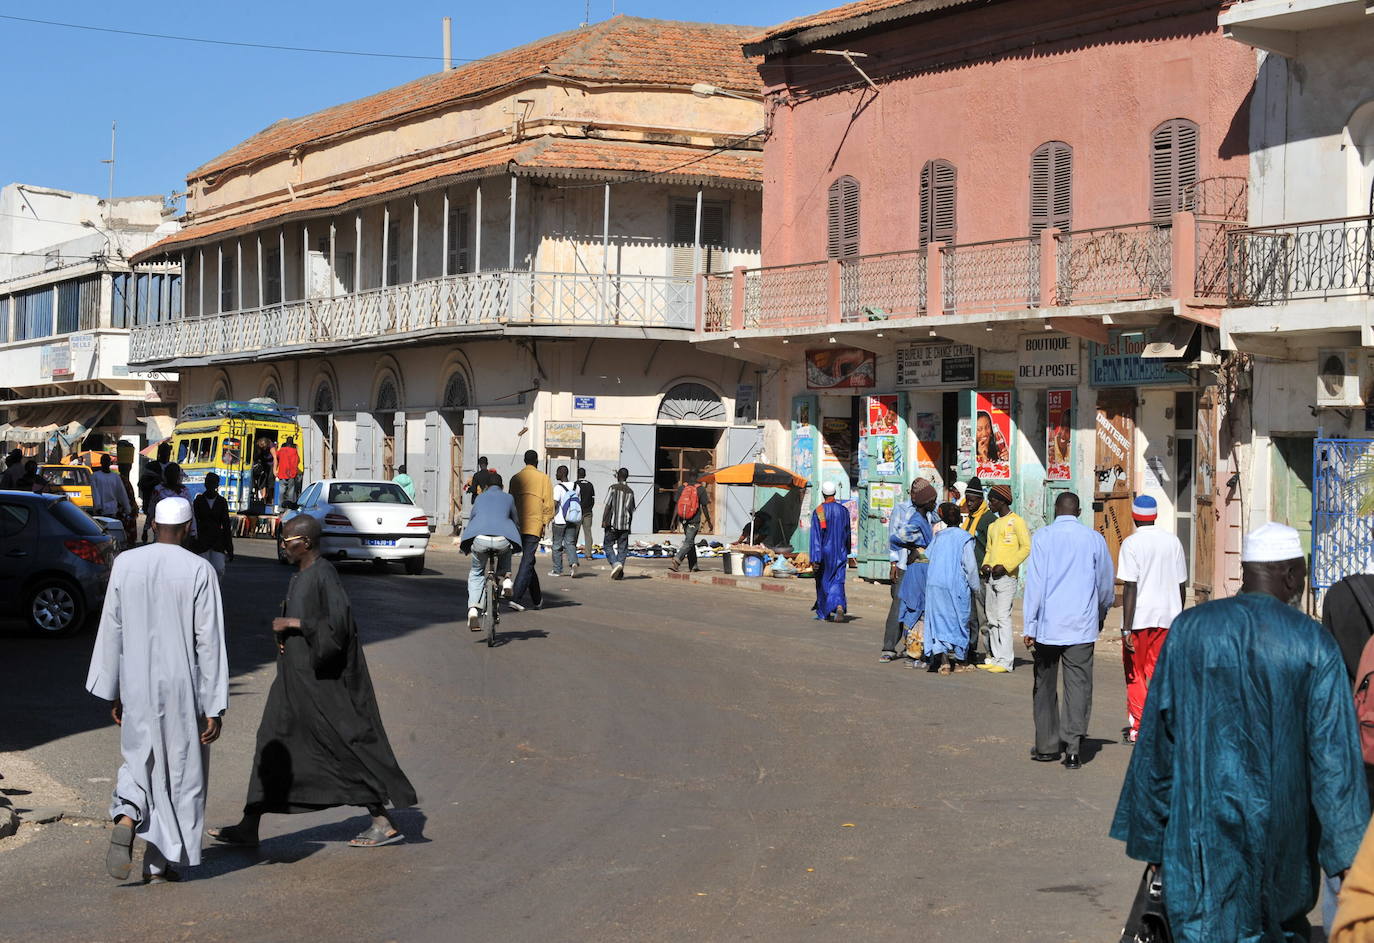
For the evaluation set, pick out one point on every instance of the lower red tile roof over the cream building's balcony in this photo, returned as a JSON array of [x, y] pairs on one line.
[[556, 157]]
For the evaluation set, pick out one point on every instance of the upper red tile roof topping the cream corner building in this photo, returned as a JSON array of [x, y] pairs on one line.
[[619, 50]]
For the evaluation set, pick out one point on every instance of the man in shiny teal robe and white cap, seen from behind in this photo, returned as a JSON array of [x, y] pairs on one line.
[[1248, 772]]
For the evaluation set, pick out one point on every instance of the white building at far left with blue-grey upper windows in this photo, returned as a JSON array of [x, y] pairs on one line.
[[68, 300]]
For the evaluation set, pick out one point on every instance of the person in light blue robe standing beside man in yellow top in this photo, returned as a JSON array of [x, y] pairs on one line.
[[953, 578]]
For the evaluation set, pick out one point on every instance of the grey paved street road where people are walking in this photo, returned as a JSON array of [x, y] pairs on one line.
[[642, 761]]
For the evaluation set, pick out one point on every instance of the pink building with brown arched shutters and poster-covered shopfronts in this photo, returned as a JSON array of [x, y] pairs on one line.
[[994, 244]]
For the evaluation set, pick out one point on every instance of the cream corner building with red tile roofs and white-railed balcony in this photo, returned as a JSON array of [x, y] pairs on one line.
[[488, 260]]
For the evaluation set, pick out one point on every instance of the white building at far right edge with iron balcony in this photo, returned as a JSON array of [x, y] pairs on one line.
[[1300, 281]]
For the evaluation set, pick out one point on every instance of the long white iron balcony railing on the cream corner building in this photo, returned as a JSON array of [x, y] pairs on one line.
[[519, 299]]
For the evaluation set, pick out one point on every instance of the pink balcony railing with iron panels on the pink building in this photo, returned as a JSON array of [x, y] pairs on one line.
[[1122, 263]]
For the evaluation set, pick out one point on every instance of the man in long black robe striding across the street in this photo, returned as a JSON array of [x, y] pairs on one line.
[[321, 743]]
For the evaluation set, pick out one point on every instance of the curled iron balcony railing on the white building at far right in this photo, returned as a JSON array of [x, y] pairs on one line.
[[1325, 259]]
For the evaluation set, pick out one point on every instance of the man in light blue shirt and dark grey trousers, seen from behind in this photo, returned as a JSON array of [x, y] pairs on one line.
[[1070, 589]]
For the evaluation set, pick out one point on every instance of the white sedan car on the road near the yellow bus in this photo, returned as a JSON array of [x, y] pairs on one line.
[[365, 520]]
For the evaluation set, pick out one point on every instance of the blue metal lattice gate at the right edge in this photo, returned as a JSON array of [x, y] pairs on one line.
[[1343, 540]]
